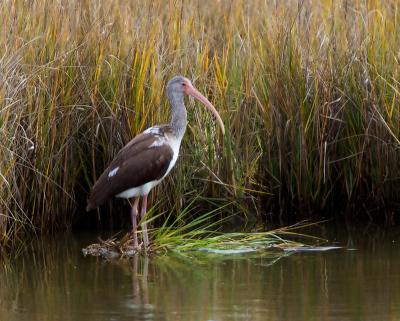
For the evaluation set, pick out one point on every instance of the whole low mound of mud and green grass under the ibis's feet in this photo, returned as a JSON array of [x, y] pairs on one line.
[[187, 231]]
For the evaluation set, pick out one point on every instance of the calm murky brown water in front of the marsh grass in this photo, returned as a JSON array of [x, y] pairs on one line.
[[51, 280]]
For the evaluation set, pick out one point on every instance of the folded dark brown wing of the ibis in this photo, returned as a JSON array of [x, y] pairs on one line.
[[135, 164]]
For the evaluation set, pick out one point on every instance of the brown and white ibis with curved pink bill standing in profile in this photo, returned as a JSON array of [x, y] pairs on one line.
[[148, 158]]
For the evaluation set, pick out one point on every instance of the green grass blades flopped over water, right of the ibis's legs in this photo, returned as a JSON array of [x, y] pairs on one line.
[[188, 231]]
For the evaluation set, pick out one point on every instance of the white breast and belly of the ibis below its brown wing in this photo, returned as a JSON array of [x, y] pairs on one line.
[[144, 189]]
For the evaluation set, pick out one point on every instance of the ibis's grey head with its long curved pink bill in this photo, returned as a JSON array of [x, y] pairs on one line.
[[178, 86]]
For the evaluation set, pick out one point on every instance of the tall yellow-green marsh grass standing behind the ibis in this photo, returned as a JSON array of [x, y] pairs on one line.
[[309, 94]]
